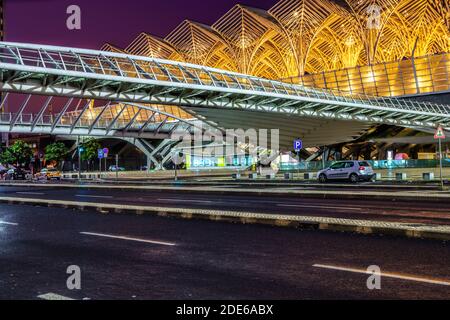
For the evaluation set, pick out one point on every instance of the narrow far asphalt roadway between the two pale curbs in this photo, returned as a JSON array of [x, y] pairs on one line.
[[409, 212]]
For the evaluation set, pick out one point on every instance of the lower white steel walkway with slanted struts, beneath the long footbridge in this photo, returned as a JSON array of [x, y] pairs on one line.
[[157, 125]]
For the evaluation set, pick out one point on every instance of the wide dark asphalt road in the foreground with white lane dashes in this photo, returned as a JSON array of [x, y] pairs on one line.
[[147, 257]]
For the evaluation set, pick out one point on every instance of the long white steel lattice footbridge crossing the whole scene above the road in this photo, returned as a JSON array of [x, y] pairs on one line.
[[219, 88]]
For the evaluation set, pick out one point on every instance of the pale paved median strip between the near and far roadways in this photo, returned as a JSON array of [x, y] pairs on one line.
[[366, 227]]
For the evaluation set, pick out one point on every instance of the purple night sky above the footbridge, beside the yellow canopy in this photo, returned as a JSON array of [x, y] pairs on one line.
[[114, 21]]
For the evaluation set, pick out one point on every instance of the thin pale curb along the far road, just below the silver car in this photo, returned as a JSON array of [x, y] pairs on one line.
[[302, 194]]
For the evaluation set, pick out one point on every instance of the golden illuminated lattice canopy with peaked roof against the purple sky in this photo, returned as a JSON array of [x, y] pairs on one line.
[[306, 36]]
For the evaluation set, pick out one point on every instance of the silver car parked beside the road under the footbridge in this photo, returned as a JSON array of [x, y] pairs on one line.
[[353, 171]]
